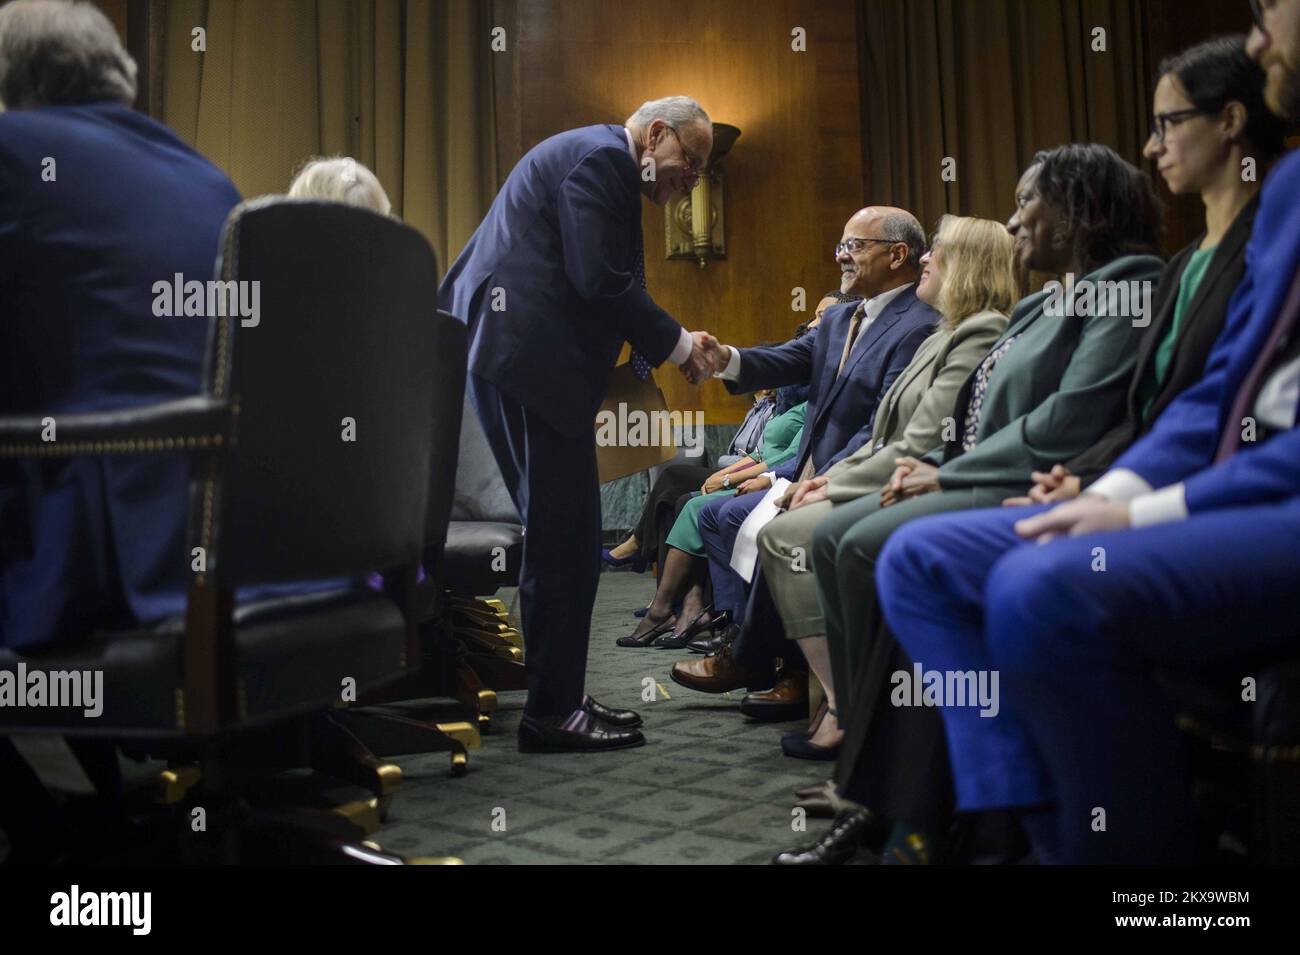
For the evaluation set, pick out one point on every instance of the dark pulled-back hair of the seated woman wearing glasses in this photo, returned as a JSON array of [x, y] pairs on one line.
[[1220, 72]]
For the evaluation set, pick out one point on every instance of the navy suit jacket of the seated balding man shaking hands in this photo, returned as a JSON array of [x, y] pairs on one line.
[[840, 409]]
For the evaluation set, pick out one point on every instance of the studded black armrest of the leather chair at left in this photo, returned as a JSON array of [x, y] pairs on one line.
[[188, 424]]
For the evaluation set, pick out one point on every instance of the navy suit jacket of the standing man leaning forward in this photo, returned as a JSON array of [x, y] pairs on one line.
[[561, 242]]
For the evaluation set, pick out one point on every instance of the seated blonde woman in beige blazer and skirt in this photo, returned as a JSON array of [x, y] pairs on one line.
[[970, 279]]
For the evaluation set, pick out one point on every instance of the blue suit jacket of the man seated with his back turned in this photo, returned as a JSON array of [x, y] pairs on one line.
[[97, 542]]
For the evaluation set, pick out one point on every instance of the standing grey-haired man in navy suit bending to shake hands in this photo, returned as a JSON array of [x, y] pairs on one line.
[[552, 285]]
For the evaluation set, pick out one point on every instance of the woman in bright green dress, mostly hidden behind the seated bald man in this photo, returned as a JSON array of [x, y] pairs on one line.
[[686, 568]]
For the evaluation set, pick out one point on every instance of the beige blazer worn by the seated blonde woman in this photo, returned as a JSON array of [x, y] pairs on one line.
[[912, 415]]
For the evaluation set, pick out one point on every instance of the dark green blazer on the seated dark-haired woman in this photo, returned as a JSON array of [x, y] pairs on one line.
[[1055, 393]]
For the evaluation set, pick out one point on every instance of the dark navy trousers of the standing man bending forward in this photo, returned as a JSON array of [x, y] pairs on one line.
[[553, 481]]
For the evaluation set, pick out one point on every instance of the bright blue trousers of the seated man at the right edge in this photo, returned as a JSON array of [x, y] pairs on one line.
[[1077, 631]]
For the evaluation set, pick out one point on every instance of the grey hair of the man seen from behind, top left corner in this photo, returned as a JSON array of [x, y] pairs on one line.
[[62, 54]]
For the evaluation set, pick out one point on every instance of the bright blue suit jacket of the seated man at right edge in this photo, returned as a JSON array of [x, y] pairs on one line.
[[1182, 444]]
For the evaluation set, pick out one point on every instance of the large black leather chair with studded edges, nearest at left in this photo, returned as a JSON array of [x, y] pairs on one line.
[[324, 448]]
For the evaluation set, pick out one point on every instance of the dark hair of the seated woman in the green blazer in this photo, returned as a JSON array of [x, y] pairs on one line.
[[1108, 206]]
